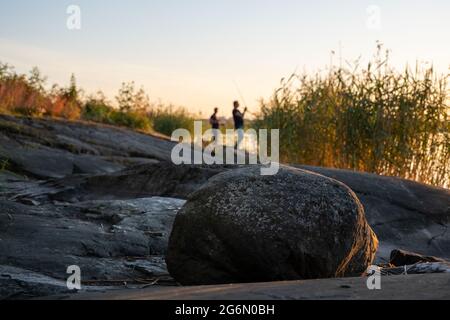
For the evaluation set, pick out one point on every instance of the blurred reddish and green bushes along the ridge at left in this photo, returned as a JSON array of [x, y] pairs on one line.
[[26, 95]]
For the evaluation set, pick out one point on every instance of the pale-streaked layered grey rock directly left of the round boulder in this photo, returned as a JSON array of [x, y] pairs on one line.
[[111, 241]]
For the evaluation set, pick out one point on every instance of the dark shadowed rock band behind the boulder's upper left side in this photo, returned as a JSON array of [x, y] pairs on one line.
[[162, 179]]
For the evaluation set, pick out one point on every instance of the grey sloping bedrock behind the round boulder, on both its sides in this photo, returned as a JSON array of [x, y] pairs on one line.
[[81, 189]]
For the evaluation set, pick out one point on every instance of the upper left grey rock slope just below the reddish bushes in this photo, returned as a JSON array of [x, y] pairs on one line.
[[55, 148]]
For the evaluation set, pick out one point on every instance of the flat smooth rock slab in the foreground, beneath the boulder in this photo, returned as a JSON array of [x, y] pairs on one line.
[[411, 287]]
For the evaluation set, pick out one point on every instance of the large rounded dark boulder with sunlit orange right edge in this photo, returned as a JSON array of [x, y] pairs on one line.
[[244, 227]]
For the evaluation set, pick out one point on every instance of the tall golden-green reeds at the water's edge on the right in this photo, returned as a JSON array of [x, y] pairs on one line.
[[374, 119]]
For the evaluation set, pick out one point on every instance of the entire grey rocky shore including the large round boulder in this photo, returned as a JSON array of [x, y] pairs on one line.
[[108, 200]]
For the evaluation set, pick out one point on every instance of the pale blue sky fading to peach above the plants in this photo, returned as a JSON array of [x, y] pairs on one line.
[[197, 53]]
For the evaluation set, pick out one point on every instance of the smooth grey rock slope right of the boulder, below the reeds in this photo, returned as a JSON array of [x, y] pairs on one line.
[[404, 214]]
